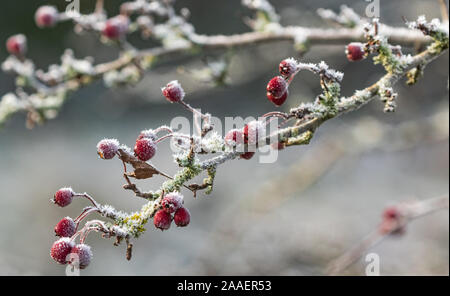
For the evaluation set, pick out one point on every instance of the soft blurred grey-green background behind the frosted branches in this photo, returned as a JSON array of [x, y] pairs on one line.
[[291, 217]]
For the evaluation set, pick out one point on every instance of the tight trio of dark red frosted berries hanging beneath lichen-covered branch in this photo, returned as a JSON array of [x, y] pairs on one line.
[[172, 203]]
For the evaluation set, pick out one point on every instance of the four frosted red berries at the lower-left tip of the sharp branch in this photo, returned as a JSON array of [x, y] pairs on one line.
[[64, 250]]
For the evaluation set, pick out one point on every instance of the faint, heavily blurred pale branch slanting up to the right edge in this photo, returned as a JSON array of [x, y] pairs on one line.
[[365, 135]]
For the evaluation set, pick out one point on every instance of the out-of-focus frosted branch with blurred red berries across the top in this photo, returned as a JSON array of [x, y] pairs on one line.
[[48, 90]]
